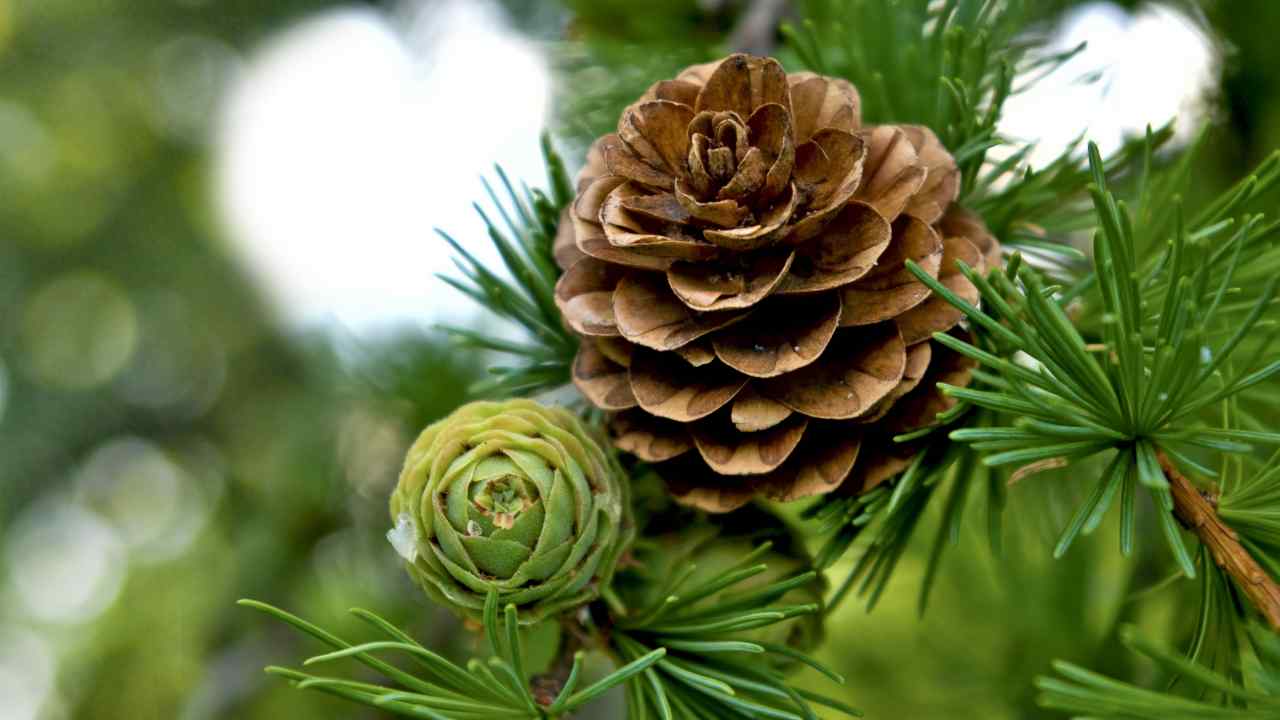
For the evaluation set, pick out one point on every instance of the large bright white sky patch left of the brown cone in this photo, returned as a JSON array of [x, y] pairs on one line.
[[354, 135]]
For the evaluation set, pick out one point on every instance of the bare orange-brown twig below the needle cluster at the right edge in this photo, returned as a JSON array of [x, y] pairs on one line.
[[1200, 516]]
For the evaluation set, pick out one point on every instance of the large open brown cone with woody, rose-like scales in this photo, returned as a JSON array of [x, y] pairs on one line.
[[735, 263]]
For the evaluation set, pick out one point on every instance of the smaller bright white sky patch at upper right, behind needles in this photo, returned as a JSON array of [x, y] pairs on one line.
[[1156, 66]]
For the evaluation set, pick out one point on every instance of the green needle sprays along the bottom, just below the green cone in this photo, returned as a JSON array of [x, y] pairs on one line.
[[687, 655]]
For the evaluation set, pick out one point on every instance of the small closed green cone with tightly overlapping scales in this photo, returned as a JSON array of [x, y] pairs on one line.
[[511, 496]]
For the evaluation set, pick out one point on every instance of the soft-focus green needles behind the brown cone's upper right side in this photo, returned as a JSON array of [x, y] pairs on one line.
[[952, 67]]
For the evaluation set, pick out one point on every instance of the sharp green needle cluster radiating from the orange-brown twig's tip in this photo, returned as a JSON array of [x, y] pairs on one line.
[[1140, 391]]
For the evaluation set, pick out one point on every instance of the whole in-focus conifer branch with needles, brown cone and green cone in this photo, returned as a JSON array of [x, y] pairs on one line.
[[815, 286]]
